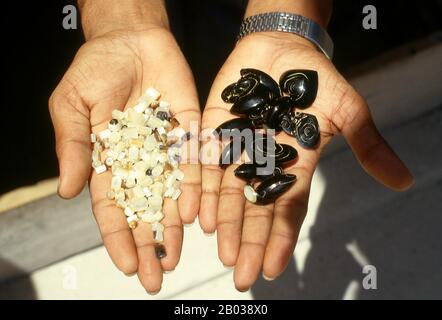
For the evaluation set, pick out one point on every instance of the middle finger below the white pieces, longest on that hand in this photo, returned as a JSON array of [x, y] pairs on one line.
[[150, 271]]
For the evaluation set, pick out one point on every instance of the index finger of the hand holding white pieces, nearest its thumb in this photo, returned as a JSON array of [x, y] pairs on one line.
[[116, 234]]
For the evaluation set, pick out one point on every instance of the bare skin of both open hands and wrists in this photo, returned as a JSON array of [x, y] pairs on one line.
[[129, 47]]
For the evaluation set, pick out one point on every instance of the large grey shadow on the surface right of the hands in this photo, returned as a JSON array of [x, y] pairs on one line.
[[397, 233]]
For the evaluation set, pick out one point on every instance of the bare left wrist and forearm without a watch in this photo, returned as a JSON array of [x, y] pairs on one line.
[[102, 16]]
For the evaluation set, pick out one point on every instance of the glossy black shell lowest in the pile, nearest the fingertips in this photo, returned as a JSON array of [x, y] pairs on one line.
[[273, 187]]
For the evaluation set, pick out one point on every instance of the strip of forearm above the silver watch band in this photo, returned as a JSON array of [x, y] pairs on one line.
[[317, 10]]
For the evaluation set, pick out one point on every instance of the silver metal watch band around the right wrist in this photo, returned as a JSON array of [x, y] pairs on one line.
[[289, 22]]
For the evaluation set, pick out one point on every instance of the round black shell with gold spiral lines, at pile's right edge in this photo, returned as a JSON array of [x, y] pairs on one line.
[[304, 127]]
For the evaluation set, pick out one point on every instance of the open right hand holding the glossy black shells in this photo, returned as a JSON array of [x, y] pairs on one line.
[[252, 237]]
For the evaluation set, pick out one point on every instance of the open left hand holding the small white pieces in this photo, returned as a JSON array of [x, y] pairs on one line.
[[112, 71]]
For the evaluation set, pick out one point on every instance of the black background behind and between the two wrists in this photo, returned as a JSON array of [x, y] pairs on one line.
[[37, 50]]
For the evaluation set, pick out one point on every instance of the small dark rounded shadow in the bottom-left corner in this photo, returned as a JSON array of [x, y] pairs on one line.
[[10, 290]]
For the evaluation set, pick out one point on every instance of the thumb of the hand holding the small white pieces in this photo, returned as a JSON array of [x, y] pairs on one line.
[[72, 134]]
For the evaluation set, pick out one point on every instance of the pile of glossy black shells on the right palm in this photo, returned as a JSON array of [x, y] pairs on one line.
[[264, 104]]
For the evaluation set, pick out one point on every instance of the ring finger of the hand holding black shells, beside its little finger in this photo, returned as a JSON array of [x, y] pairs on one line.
[[230, 216]]
